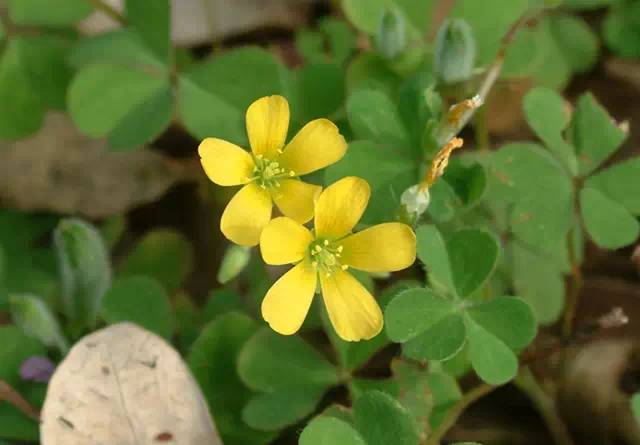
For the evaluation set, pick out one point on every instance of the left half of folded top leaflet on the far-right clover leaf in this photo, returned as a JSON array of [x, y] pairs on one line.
[[548, 116]]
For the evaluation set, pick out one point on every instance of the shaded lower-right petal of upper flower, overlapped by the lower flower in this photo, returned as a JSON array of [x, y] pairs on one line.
[[296, 199]]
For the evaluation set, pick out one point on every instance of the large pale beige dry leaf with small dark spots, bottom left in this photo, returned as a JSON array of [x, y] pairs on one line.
[[124, 385]]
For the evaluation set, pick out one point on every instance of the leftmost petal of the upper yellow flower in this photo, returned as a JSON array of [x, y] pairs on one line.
[[225, 163]]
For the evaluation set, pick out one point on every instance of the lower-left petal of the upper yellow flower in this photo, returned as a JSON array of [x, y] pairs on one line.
[[246, 215]]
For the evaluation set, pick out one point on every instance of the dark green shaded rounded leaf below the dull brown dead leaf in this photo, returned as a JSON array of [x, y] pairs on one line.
[[163, 254]]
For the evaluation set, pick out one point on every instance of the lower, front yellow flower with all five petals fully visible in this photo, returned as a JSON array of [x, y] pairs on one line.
[[326, 254]]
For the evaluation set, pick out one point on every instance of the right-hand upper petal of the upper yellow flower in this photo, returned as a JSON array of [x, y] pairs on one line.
[[317, 144]]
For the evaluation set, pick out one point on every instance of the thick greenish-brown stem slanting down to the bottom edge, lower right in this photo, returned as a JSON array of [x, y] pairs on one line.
[[545, 405]]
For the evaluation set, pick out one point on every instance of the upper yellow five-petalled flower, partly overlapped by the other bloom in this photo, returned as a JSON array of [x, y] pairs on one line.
[[270, 173]]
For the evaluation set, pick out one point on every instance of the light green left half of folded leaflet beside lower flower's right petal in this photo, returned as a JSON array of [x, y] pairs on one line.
[[432, 251]]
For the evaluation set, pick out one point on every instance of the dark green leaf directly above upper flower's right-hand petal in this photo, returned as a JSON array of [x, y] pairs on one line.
[[320, 90]]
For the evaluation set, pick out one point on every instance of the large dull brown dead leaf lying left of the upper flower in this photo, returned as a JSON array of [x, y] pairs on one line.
[[61, 170]]
